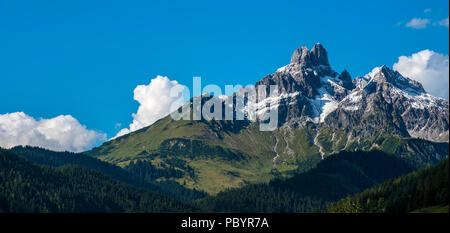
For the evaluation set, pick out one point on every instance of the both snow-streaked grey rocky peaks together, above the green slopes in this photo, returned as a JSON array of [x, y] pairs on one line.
[[381, 102]]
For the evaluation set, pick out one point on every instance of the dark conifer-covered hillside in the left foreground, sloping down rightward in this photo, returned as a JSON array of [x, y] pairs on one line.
[[27, 187]]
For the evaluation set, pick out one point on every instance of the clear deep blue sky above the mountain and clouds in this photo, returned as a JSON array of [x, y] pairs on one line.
[[84, 58]]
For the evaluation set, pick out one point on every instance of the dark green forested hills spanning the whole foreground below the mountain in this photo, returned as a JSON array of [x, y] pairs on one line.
[[38, 180]]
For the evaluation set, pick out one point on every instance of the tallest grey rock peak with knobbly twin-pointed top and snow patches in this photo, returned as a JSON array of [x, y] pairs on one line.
[[306, 80]]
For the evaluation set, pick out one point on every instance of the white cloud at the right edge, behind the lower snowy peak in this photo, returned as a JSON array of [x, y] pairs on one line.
[[429, 68]]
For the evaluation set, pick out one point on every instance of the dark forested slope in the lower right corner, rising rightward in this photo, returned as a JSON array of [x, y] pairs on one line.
[[419, 189]]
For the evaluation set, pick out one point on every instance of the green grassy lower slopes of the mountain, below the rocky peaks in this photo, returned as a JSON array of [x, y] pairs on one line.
[[231, 154]]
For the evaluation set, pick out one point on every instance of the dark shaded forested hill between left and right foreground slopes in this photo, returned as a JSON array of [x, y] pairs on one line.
[[335, 177]]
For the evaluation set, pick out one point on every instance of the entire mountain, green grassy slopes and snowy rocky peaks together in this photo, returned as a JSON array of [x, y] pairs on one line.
[[320, 113]]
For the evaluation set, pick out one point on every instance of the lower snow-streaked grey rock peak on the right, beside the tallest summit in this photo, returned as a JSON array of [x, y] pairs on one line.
[[422, 115]]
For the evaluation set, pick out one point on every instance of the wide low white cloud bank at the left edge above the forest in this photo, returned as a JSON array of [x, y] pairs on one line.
[[60, 133]]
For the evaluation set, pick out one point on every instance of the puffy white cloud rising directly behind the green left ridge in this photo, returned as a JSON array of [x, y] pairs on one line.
[[155, 103]]
